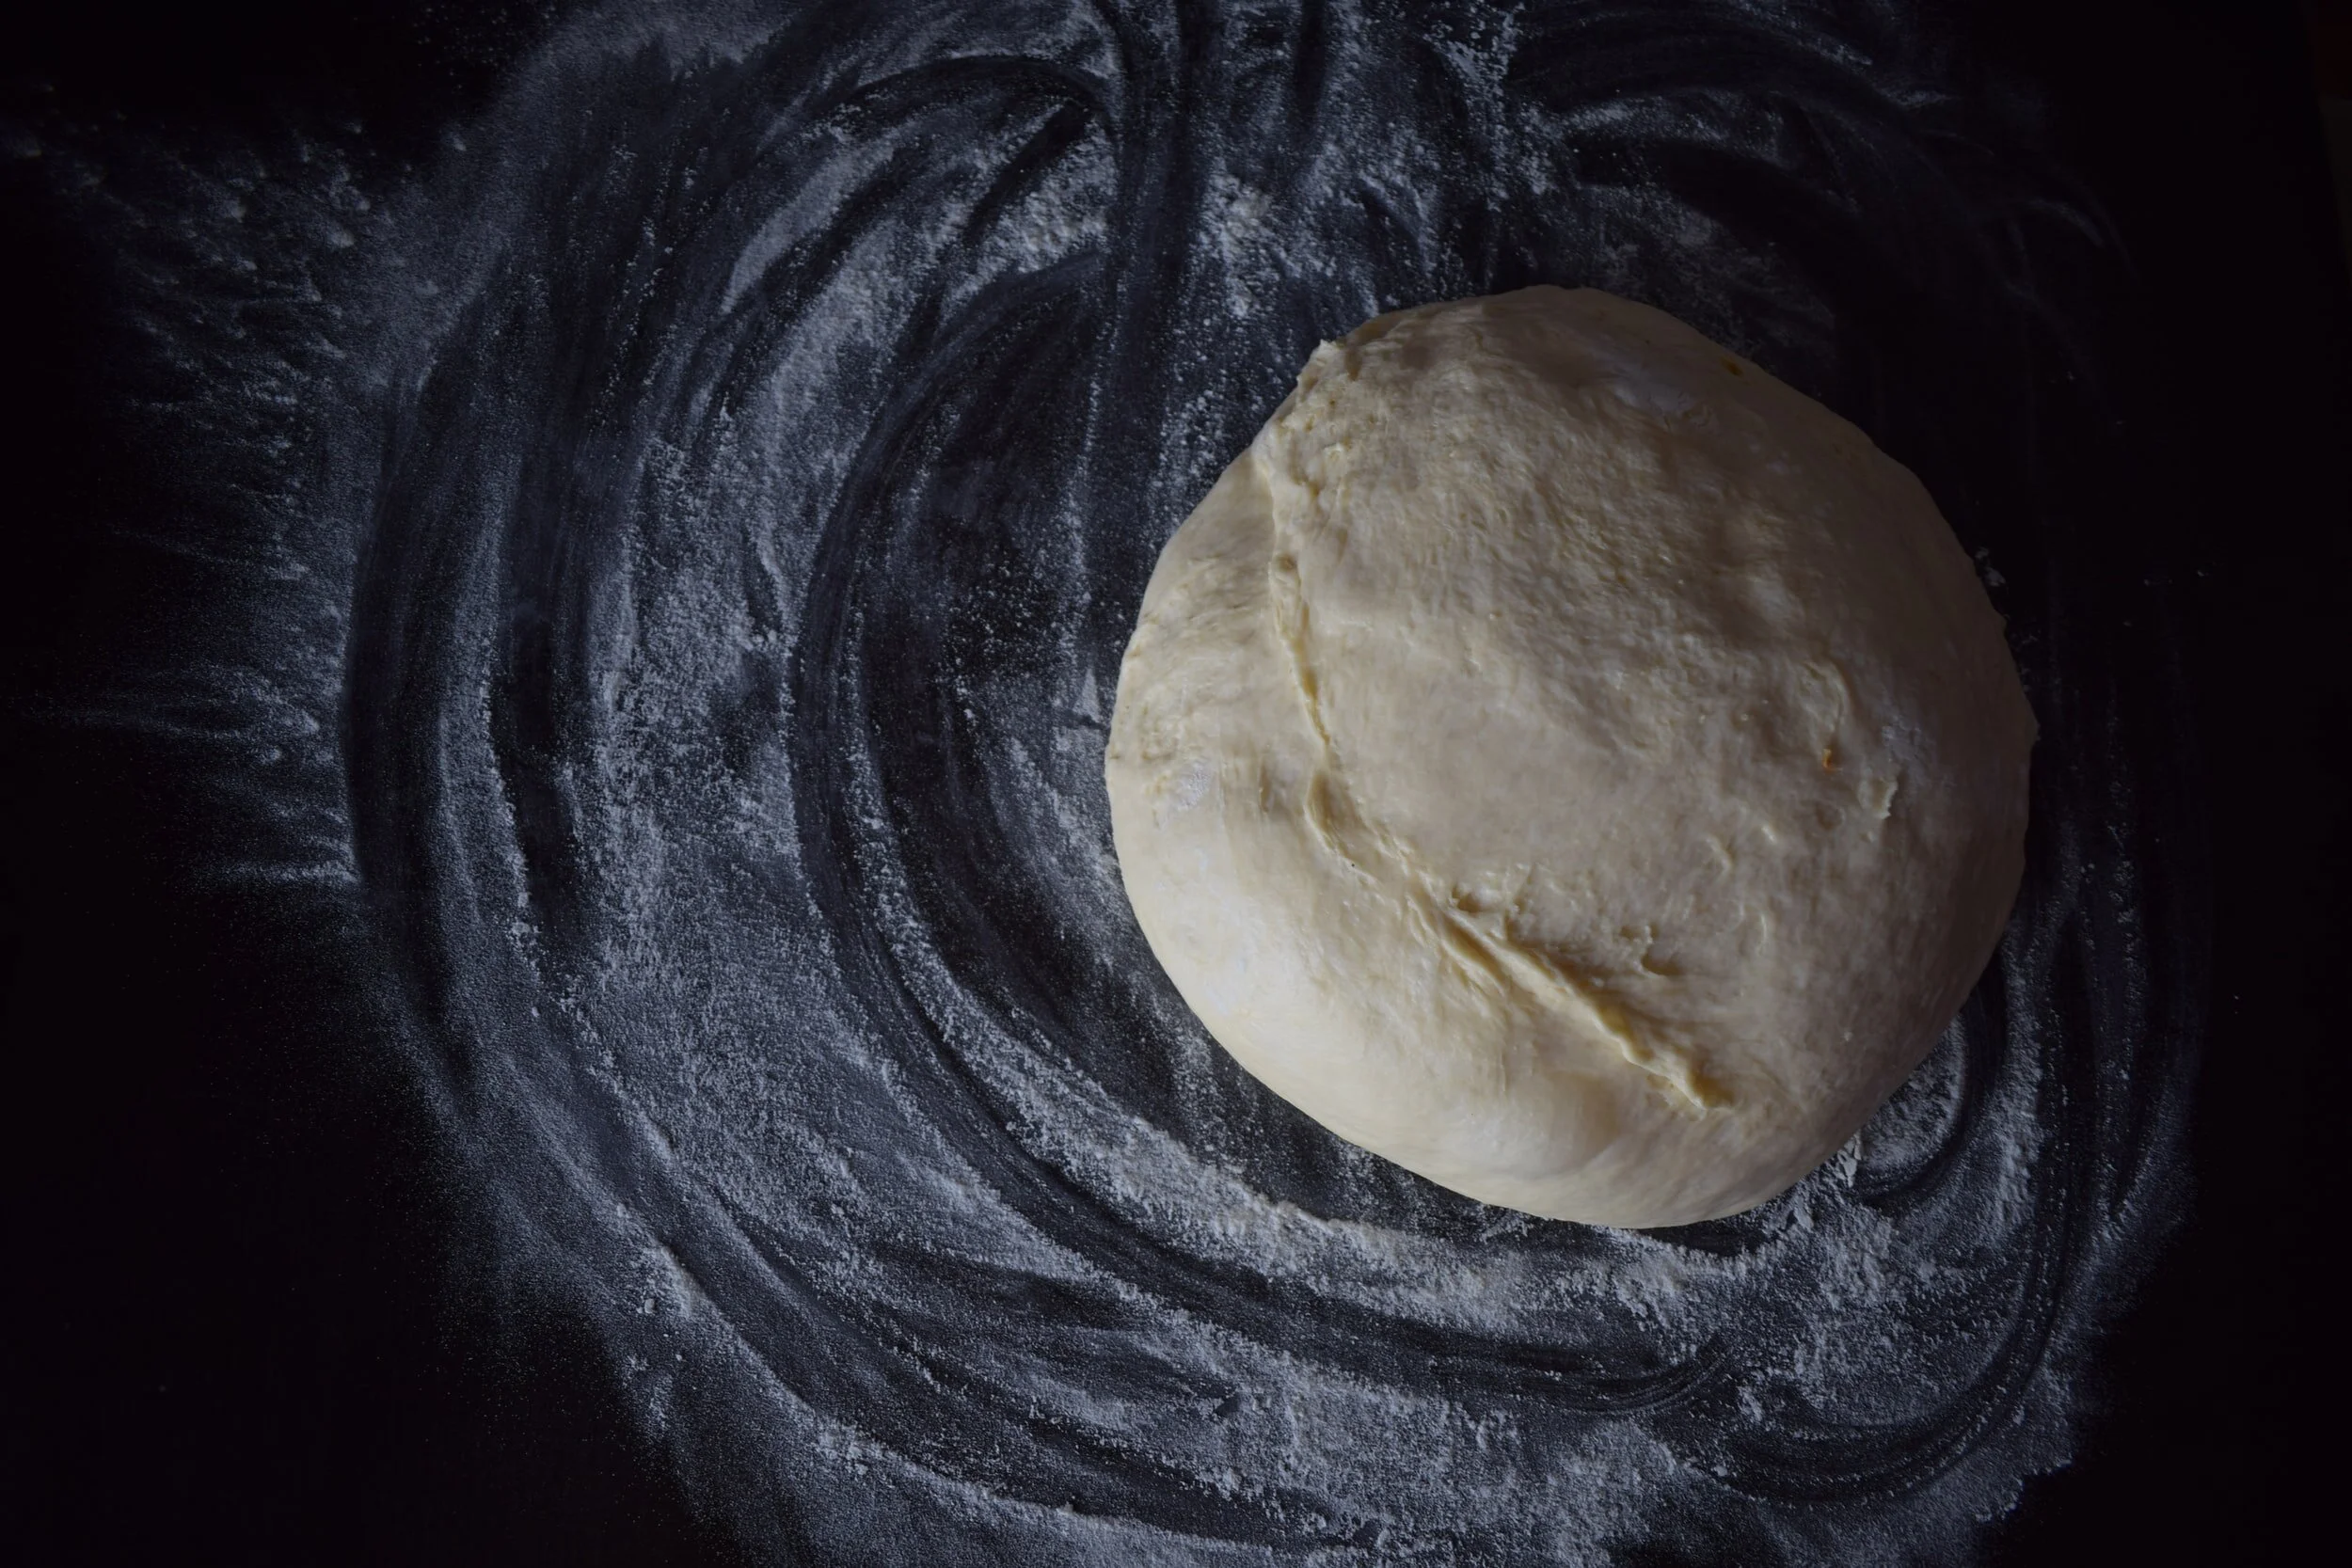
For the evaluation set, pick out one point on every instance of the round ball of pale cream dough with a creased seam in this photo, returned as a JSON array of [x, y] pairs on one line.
[[1570, 763]]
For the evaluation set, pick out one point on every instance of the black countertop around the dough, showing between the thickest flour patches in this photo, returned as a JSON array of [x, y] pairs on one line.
[[2076, 264]]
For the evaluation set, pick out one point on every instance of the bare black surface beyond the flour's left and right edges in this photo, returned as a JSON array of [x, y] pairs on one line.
[[227, 1336]]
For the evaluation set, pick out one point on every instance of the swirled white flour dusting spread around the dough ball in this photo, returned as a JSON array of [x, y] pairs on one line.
[[744, 467]]
